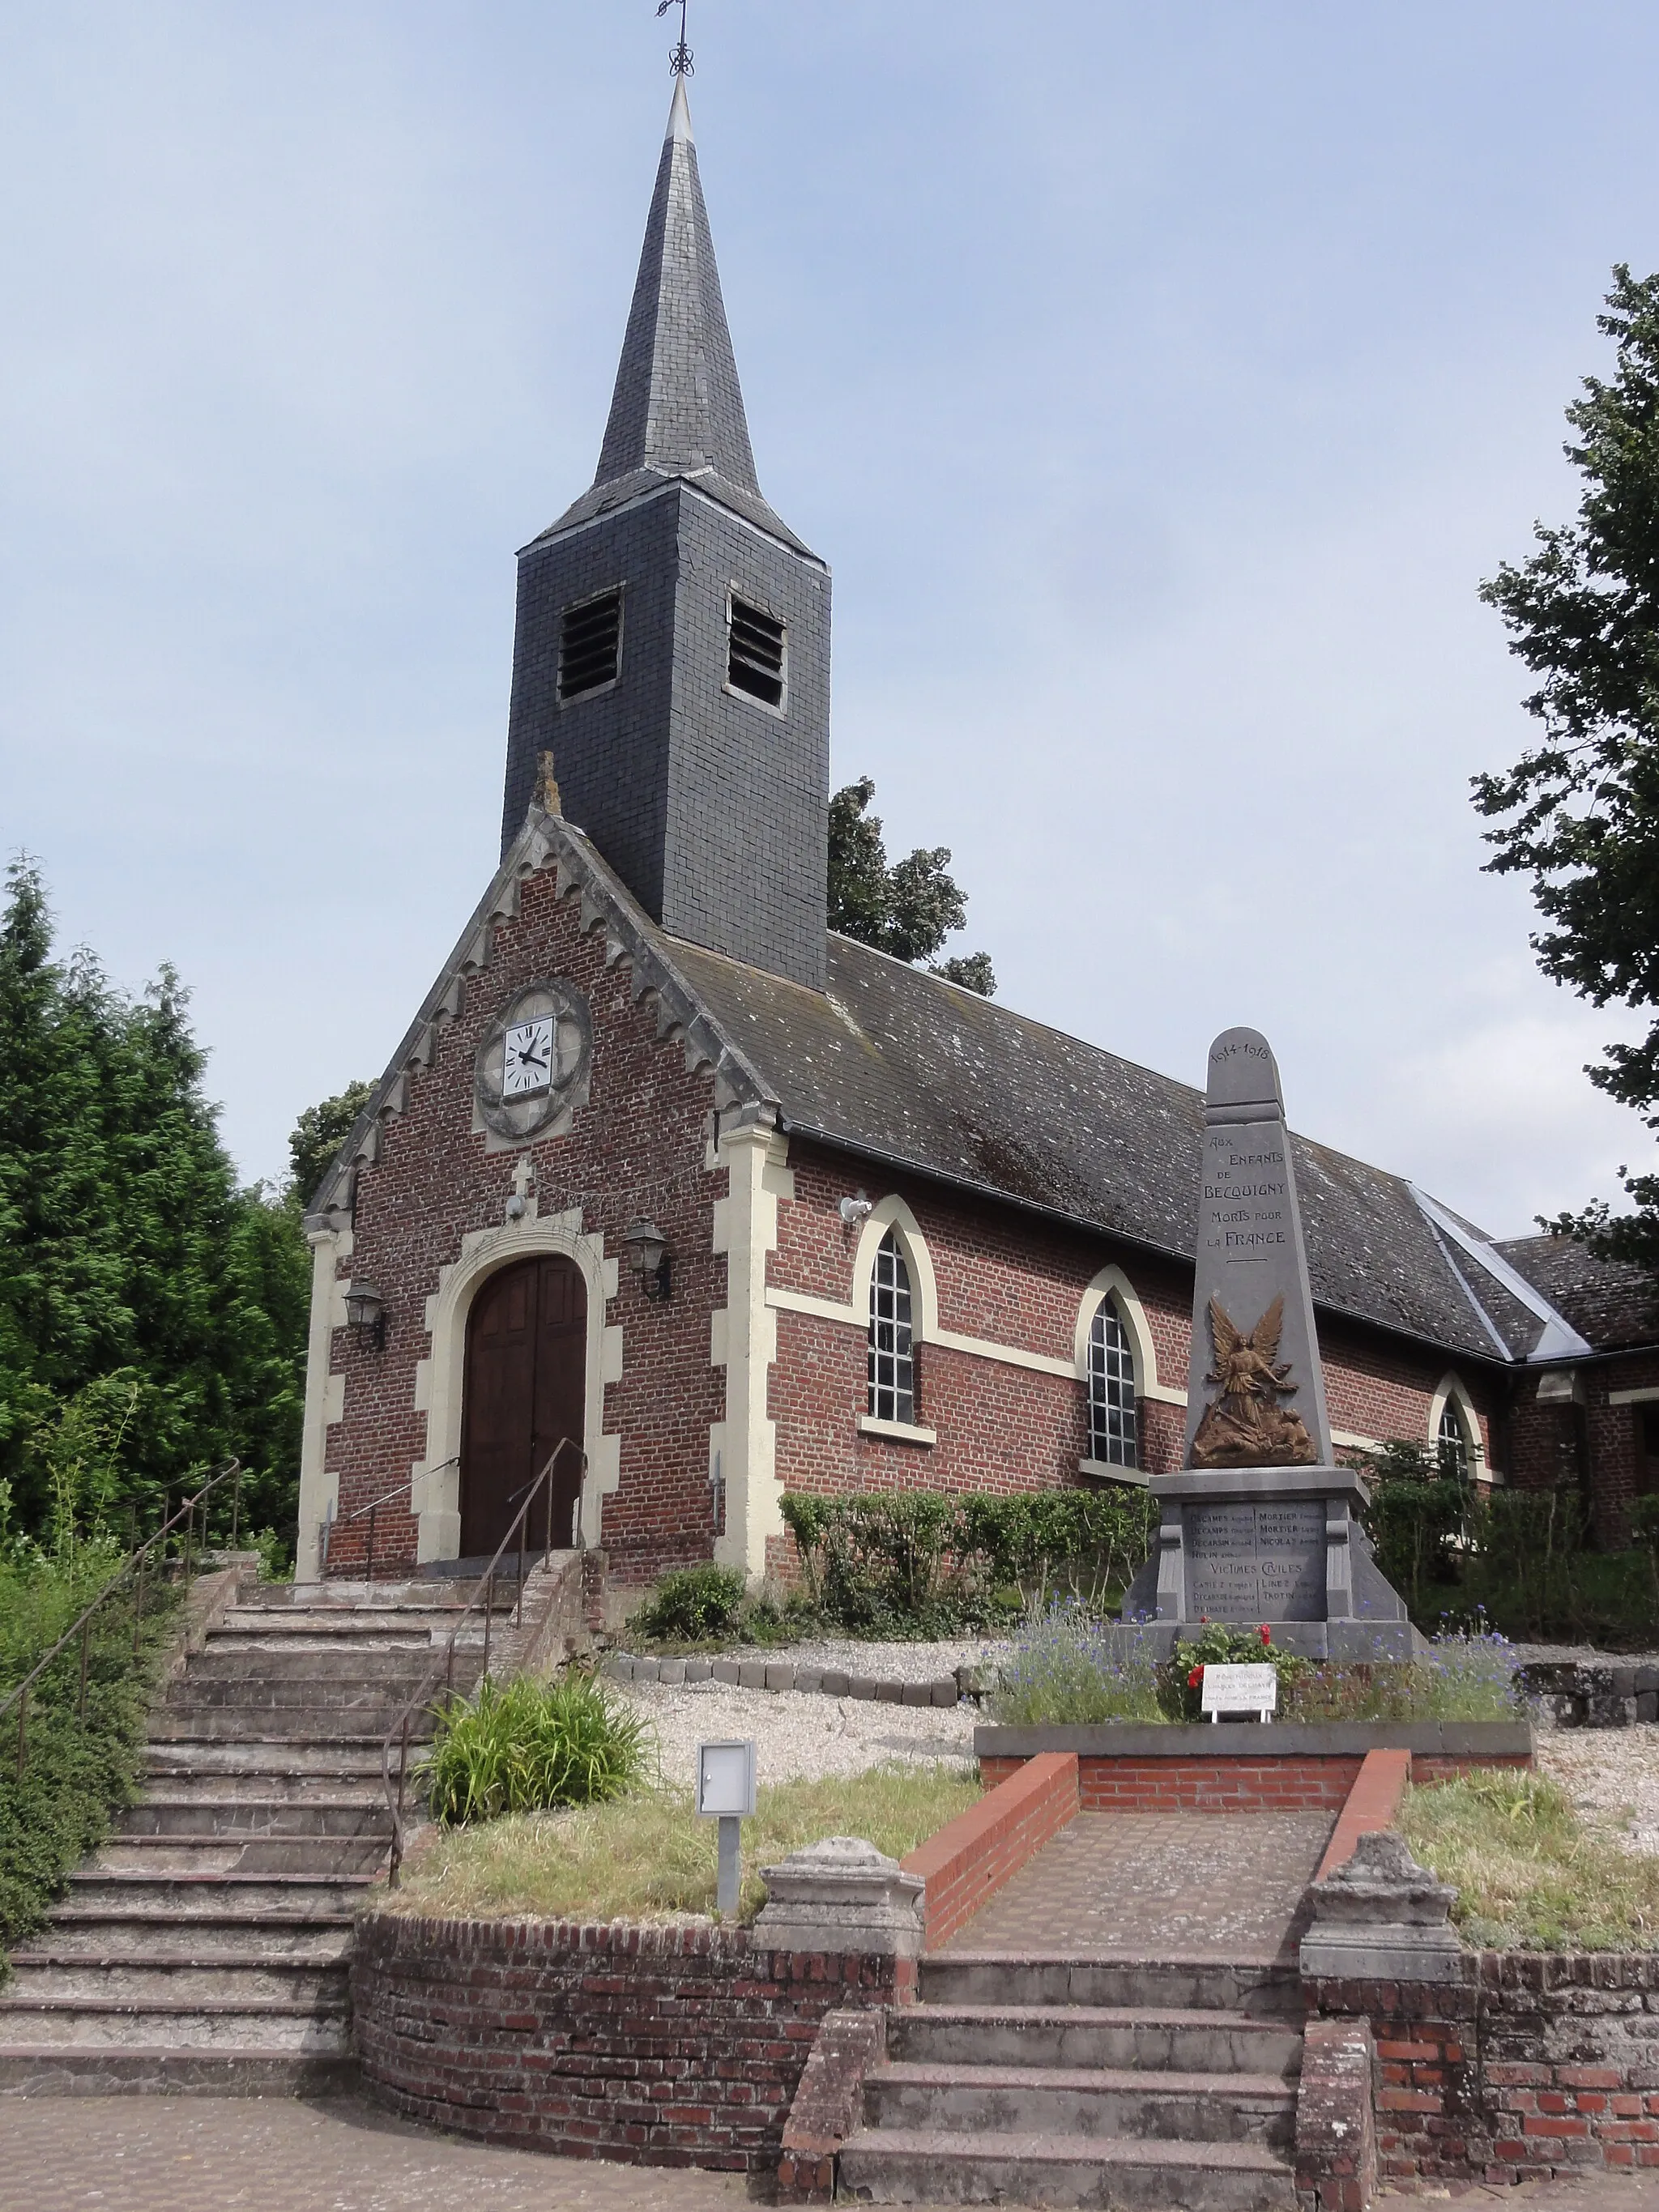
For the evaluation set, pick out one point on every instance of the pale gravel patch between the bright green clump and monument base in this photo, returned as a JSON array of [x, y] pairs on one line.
[[797, 1738]]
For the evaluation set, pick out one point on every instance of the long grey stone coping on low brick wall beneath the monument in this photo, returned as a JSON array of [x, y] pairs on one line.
[[1253, 1740]]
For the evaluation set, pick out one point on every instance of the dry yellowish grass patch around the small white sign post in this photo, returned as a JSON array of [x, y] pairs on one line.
[[651, 1859]]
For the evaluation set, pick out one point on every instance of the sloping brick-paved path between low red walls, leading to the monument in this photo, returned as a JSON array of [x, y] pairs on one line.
[[1158, 1888]]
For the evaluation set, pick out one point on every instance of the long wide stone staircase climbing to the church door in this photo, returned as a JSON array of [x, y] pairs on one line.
[[207, 1945]]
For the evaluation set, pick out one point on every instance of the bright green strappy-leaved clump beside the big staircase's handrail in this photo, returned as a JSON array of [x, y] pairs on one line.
[[532, 1746]]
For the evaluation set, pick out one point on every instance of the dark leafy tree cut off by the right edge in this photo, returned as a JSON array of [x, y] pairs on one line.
[[1580, 813]]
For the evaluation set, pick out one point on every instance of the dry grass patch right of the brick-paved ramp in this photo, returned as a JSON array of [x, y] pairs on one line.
[[1530, 1875]]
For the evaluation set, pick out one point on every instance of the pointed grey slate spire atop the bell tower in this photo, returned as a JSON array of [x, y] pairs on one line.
[[678, 408]]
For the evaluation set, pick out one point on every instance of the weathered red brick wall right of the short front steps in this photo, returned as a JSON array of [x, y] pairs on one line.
[[1541, 2065]]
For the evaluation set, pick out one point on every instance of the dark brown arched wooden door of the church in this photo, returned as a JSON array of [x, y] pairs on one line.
[[528, 1348]]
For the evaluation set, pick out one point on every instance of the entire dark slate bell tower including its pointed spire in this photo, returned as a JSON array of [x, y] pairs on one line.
[[674, 634]]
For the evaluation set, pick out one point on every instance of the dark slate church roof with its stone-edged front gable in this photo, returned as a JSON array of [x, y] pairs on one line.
[[901, 1067]]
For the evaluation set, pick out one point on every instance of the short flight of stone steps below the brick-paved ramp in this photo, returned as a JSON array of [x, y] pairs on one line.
[[1085, 2083]]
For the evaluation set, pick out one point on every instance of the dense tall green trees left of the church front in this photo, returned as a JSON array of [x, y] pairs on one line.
[[152, 1313]]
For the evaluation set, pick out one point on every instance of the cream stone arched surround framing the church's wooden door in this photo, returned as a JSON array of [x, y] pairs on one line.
[[441, 1379]]
